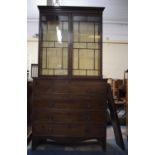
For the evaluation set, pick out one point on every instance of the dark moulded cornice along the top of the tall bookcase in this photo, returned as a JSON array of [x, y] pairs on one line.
[[44, 9]]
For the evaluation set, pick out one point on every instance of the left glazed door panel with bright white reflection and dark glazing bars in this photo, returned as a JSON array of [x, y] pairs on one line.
[[54, 45]]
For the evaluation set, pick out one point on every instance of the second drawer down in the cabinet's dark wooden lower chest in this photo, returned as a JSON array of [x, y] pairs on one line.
[[64, 102]]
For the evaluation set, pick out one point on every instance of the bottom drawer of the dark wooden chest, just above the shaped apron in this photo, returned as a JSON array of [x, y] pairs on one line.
[[68, 130]]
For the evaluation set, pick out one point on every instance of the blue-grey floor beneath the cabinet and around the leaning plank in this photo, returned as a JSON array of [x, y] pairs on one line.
[[87, 149]]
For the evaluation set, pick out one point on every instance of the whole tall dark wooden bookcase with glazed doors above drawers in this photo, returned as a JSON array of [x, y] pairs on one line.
[[69, 95]]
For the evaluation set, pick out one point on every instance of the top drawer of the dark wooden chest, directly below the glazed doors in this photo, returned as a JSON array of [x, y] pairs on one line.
[[69, 86]]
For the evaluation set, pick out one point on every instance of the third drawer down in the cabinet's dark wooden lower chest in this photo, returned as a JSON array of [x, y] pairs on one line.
[[58, 116]]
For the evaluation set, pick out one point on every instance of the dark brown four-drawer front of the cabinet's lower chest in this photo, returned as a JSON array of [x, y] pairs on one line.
[[79, 112]]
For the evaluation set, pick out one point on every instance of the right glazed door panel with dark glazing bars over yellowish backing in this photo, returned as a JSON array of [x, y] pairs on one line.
[[86, 49]]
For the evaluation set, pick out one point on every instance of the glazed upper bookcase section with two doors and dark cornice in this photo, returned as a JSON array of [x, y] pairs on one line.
[[70, 42]]
